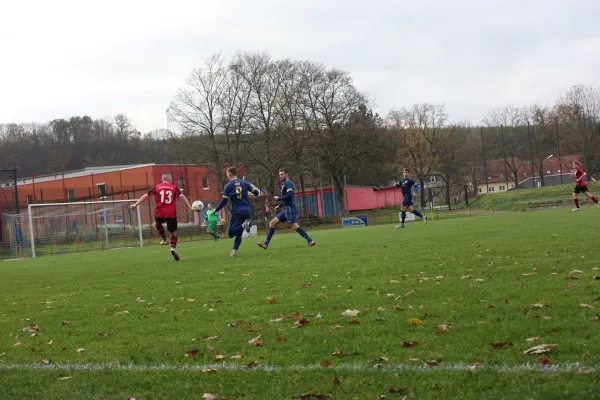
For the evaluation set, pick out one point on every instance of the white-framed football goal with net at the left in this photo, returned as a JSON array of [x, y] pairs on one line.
[[73, 227]]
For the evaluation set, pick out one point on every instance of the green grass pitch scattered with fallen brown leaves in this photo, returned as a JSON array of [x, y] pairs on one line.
[[445, 311]]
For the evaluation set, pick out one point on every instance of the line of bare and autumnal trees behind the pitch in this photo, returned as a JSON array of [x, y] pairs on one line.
[[303, 116]]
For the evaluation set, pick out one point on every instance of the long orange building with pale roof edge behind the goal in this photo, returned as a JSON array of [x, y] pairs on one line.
[[117, 183]]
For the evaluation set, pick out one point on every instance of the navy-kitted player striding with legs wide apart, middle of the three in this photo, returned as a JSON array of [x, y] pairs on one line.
[[287, 212]]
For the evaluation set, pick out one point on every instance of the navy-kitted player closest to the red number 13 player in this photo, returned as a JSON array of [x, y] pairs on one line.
[[237, 190]]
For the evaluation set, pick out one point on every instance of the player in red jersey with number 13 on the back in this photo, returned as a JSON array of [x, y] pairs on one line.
[[166, 195]]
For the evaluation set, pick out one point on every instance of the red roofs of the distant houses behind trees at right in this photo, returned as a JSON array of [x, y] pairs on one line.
[[497, 170]]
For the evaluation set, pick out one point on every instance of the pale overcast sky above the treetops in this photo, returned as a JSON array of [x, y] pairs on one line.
[[62, 58]]
